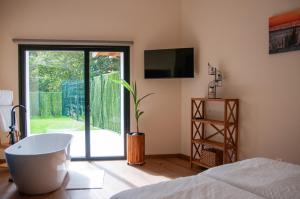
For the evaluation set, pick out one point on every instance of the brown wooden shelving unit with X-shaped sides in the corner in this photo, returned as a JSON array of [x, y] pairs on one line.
[[225, 130]]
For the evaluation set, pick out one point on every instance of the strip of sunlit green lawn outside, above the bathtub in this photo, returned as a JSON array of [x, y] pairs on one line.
[[43, 125]]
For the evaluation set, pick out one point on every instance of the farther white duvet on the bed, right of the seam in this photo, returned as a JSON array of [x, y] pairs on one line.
[[268, 178]]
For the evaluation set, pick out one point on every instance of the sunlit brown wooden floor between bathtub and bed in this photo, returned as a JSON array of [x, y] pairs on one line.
[[118, 176]]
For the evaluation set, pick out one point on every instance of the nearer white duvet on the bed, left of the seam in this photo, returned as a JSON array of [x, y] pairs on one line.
[[194, 187]]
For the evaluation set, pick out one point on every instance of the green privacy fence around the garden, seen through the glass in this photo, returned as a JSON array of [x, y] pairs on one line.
[[105, 102]]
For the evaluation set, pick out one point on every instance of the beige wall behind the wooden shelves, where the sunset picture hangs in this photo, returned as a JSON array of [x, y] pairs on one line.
[[233, 35]]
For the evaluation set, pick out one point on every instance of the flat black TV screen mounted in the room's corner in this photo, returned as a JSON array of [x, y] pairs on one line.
[[169, 63]]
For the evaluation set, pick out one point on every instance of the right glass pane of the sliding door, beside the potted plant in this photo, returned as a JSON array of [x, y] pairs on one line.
[[106, 104]]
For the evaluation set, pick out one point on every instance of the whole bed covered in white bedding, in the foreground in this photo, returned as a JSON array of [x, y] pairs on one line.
[[253, 178]]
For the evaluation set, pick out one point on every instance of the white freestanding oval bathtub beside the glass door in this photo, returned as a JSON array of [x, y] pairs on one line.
[[38, 164]]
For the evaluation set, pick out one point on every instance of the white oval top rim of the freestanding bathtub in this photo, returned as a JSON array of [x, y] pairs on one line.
[[6, 151]]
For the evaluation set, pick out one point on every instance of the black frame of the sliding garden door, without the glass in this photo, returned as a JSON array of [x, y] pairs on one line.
[[22, 48]]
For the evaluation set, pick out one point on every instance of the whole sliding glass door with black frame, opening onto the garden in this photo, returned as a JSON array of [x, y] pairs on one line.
[[69, 89]]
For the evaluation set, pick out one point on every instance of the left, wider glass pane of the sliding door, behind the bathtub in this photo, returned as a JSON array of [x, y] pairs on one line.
[[56, 95]]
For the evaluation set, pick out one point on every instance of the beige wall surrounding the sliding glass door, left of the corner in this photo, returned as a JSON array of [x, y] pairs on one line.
[[150, 24]]
